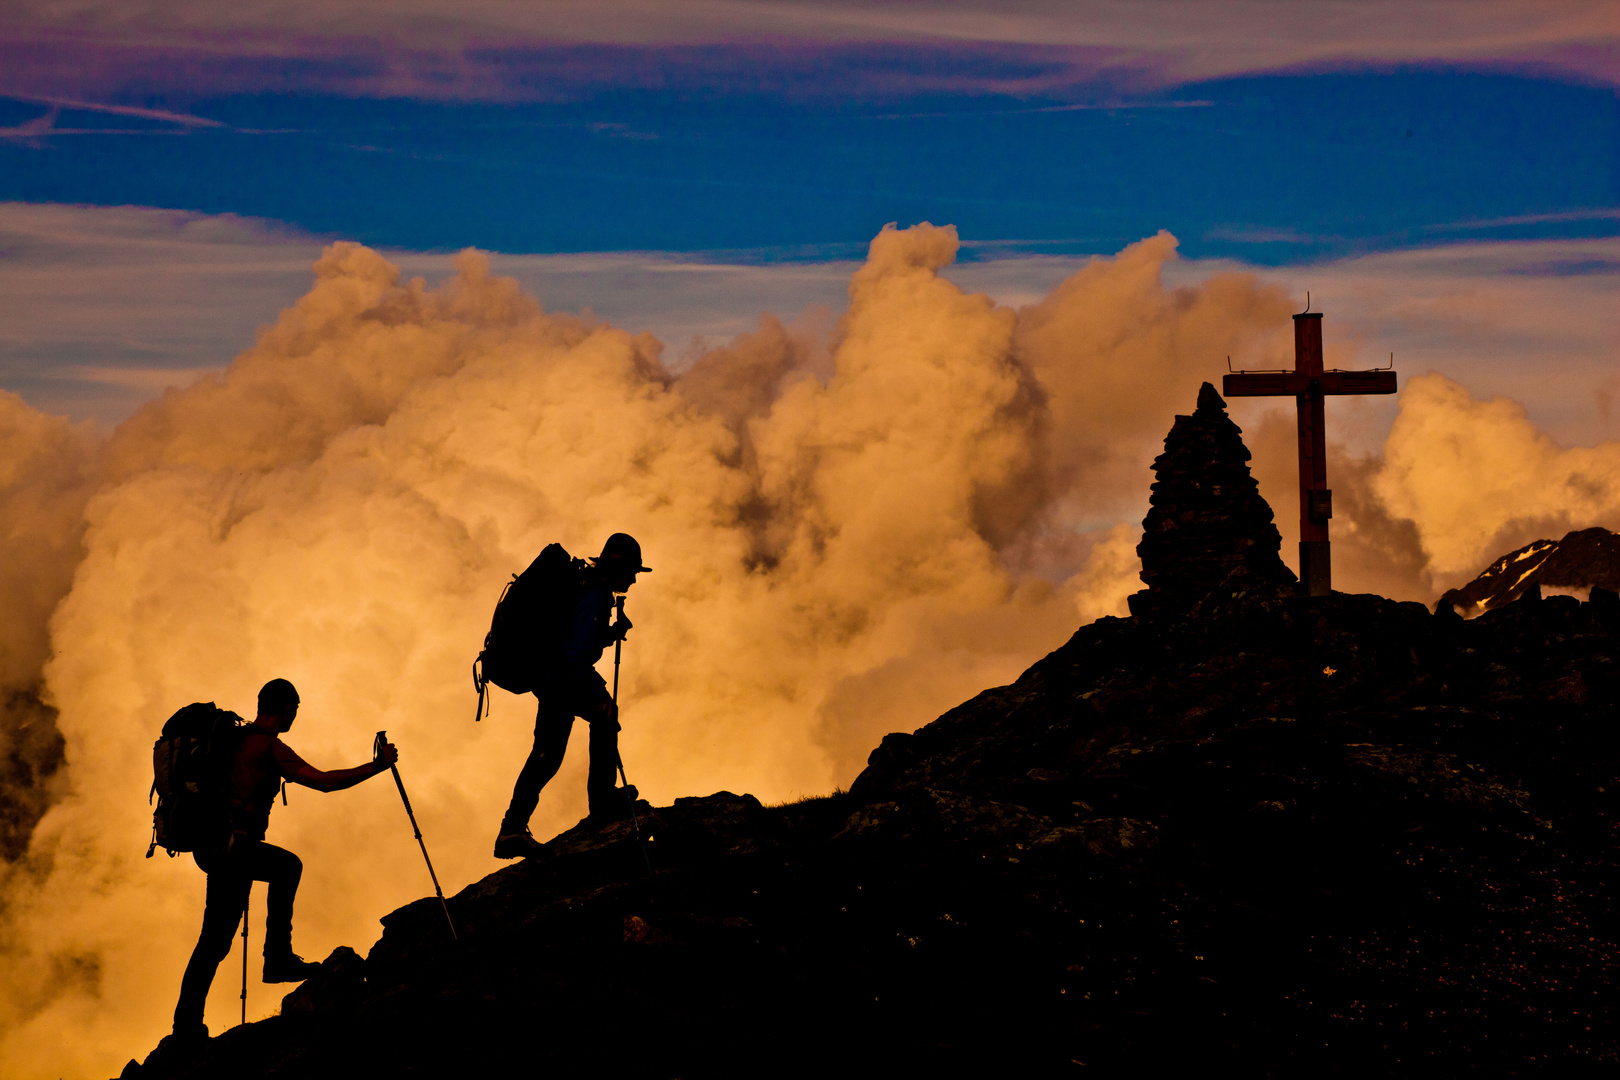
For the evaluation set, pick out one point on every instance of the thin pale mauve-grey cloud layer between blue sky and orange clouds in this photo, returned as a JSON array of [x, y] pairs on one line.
[[101, 307]]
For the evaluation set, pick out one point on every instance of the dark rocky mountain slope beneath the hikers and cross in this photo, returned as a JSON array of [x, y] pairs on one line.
[[1255, 831]]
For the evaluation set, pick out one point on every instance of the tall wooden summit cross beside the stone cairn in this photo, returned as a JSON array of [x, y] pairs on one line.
[[1308, 385]]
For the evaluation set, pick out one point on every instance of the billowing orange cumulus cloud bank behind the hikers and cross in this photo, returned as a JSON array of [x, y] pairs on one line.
[[853, 529]]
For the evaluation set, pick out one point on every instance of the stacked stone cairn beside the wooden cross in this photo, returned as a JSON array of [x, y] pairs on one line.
[[1208, 519]]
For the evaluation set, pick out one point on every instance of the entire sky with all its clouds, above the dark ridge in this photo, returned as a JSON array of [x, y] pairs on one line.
[[866, 318]]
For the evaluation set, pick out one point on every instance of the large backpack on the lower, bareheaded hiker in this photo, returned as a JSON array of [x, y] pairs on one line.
[[192, 780]]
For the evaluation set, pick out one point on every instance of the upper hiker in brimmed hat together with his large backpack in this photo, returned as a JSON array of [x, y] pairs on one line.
[[560, 621]]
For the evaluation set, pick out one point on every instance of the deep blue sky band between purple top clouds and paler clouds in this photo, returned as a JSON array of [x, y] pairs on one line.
[[1268, 169]]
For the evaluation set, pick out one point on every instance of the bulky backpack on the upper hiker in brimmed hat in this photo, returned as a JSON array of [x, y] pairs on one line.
[[531, 626]]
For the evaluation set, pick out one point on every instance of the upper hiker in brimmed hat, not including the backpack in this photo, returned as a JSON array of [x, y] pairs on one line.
[[576, 689]]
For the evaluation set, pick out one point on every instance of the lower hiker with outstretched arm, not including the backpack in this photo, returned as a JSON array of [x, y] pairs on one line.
[[232, 865]]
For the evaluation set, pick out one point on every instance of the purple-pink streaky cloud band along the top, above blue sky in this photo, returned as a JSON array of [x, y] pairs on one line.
[[490, 49]]
